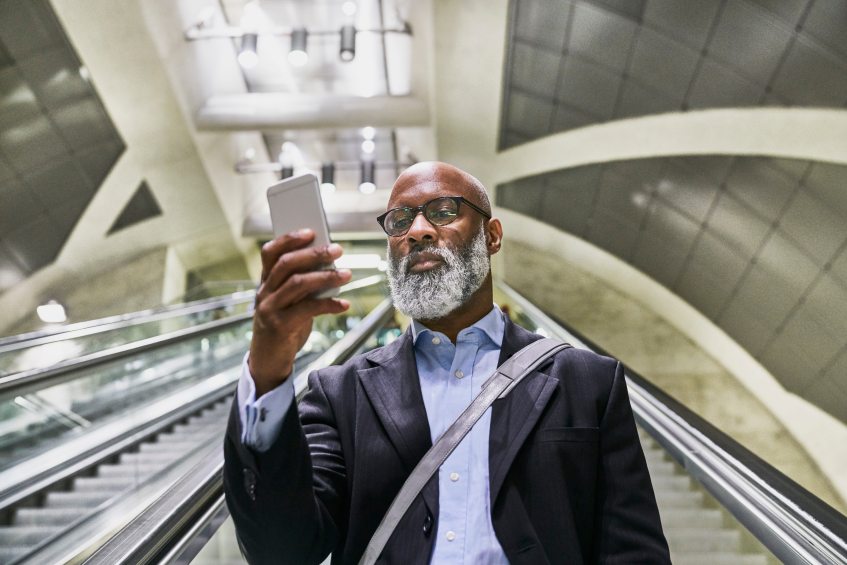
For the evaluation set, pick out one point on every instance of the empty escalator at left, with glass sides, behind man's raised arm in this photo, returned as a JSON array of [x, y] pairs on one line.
[[89, 442]]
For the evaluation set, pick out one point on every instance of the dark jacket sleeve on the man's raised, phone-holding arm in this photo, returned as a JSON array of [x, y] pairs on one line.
[[288, 501]]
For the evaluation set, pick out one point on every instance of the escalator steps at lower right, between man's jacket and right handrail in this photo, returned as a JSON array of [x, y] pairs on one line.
[[698, 533]]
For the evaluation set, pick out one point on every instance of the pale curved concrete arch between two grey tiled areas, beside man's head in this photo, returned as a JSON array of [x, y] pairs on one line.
[[815, 134]]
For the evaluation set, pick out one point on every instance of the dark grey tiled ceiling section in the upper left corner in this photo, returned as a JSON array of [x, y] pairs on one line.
[[57, 143]]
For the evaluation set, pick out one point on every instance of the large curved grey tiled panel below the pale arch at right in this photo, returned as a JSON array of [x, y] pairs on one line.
[[724, 251]]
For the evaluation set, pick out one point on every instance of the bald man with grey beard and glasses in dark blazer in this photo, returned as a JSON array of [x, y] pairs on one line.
[[553, 473]]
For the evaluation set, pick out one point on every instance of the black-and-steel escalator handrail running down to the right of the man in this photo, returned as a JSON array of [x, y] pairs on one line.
[[794, 524]]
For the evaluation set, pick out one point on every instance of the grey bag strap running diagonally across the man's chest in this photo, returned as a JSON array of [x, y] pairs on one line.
[[500, 384]]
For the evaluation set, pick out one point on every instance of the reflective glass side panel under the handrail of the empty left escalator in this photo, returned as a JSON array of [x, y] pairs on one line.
[[46, 408]]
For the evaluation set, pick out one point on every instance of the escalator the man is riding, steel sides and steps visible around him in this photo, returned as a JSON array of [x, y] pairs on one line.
[[719, 503]]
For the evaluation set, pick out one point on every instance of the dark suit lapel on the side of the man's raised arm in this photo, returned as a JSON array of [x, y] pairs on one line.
[[394, 391]]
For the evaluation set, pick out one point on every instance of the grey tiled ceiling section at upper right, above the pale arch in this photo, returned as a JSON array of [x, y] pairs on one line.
[[572, 63]]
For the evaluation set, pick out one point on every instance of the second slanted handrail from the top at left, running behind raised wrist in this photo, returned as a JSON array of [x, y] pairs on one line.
[[34, 379]]
